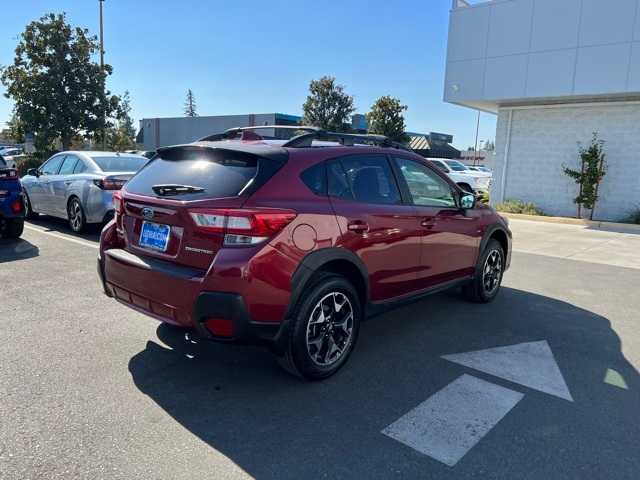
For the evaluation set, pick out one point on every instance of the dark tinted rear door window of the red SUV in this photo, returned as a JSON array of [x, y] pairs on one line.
[[371, 179]]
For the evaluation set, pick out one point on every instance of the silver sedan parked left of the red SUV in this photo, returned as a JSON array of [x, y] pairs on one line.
[[79, 185]]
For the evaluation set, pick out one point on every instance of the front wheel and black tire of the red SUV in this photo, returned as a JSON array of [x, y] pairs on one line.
[[485, 287]]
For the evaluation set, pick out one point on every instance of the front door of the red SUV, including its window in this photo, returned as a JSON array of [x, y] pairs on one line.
[[450, 235]]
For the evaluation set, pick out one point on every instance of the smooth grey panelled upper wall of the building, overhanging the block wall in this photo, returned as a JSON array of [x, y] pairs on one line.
[[521, 50]]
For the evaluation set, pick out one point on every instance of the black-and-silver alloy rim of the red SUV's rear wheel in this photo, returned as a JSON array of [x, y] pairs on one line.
[[330, 329]]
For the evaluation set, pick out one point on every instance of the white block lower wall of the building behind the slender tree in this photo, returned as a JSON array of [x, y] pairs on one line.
[[543, 139]]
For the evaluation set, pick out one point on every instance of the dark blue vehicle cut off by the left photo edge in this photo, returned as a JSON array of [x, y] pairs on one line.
[[11, 202]]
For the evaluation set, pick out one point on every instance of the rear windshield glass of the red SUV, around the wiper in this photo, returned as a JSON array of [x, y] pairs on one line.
[[220, 173]]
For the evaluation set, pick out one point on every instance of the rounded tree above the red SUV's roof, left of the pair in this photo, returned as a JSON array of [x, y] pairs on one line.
[[328, 106]]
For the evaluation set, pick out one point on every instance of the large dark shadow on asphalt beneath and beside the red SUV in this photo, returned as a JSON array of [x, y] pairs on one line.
[[273, 425]]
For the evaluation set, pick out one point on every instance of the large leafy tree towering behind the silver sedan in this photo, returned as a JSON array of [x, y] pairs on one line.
[[58, 90]]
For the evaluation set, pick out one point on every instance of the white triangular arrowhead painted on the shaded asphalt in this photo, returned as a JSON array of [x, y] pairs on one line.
[[530, 364]]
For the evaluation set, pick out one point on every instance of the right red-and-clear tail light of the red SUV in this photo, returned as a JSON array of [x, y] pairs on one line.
[[242, 227]]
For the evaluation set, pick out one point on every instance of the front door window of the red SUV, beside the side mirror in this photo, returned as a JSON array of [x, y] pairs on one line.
[[426, 187]]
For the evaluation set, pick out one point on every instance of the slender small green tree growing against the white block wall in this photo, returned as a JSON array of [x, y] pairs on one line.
[[592, 171]]
